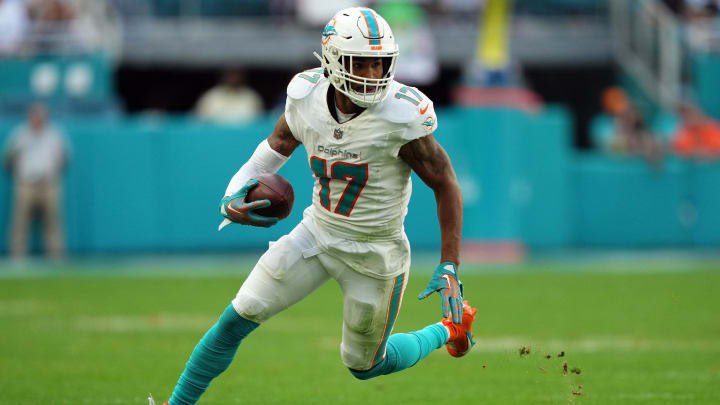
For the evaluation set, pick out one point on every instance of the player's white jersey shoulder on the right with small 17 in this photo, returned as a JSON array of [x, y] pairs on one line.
[[405, 104]]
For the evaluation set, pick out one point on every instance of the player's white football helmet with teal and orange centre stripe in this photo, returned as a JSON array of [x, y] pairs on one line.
[[358, 32]]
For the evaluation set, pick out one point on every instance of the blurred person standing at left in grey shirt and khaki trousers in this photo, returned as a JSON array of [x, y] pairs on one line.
[[36, 154]]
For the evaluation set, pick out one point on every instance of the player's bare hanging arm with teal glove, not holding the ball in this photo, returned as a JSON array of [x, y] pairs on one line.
[[432, 164]]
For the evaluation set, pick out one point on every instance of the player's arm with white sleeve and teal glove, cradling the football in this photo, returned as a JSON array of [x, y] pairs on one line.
[[268, 157]]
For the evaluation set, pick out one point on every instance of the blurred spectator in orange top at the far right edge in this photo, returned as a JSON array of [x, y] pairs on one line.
[[698, 135]]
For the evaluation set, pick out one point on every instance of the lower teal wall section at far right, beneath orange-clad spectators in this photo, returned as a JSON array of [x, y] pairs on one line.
[[623, 202]]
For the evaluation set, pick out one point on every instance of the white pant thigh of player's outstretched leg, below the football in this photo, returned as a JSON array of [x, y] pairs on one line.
[[282, 277]]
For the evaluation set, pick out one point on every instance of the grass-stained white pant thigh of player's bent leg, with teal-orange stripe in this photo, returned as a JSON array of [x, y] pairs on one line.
[[370, 308]]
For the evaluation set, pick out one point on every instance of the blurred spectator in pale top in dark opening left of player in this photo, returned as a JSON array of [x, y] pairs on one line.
[[230, 102]]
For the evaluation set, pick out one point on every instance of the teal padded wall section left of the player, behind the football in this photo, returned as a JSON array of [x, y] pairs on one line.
[[155, 185]]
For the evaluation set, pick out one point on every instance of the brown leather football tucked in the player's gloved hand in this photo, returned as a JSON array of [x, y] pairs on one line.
[[275, 188]]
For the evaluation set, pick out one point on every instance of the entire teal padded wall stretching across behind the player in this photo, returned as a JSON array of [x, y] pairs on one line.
[[153, 184]]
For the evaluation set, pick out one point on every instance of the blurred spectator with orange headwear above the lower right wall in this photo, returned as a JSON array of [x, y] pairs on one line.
[[630, 134]]
